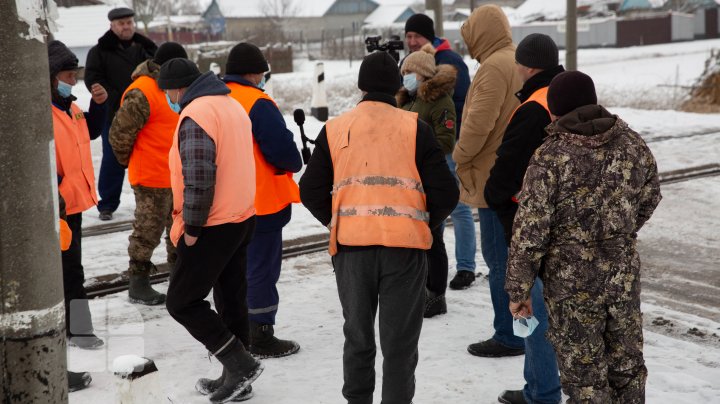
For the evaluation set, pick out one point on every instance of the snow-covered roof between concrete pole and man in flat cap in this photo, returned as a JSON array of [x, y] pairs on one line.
[[82, 26]]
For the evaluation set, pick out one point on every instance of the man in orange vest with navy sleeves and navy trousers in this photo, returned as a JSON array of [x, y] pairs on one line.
[[276, 159]]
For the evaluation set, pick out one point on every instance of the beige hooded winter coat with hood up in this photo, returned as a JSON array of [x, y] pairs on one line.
[[490, 100]]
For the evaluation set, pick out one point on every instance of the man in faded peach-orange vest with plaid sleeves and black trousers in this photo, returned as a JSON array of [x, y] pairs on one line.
[[212, 174]]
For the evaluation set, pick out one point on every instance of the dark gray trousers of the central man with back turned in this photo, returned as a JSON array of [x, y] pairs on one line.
[[395, 278]]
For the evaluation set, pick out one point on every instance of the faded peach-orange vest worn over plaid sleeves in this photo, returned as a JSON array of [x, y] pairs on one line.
[[229, 127]]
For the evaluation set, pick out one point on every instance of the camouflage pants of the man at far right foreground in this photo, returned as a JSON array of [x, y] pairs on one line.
[[599, 342]]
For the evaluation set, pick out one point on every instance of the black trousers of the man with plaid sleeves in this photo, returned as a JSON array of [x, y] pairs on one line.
[[217, 261]]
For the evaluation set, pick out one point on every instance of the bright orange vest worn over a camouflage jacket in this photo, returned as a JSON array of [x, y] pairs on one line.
[[148, 165]]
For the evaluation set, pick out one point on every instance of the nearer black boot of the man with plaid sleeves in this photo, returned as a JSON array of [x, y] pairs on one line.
[[240, 369]]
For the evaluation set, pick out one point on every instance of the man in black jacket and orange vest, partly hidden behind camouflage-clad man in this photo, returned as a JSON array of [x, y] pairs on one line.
[[537, 63]]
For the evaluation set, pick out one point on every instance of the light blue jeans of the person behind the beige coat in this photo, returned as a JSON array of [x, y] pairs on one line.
[[464, 228]]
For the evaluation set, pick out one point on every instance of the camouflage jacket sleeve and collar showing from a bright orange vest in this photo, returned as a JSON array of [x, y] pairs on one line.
[[132, 115]]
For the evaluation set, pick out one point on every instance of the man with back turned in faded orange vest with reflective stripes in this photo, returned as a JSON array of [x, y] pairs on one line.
[[380, 182]]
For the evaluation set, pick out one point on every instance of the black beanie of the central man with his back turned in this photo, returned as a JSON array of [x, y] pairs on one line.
[[379, 74]]
